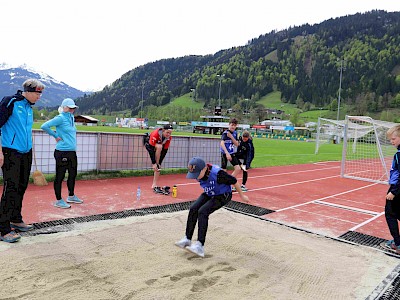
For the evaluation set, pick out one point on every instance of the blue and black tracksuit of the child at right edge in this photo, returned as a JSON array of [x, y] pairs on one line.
[[392, 207]]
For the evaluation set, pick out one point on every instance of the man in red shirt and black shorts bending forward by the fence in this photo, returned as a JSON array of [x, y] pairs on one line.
[[157, 145]]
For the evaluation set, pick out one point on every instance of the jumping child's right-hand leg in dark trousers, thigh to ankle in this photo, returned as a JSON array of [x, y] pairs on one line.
[[206, 210]]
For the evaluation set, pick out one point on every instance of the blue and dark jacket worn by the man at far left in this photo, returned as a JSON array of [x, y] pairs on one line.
[[16, 120]]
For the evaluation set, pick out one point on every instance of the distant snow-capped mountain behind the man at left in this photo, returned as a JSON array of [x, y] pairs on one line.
[[11, 79]]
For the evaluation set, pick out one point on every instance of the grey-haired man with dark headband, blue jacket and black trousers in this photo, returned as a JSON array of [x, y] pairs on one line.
[[16, 120]]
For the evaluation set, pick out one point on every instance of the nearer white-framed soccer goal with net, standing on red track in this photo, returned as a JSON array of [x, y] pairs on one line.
[[367, 153]]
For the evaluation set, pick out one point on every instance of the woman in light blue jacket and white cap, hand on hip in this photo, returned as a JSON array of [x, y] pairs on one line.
[[65, 152]]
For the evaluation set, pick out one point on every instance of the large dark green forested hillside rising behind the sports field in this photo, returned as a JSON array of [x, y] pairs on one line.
[[301, 62]]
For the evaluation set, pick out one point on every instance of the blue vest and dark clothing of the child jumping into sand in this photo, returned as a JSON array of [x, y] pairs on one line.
[[217, 193]]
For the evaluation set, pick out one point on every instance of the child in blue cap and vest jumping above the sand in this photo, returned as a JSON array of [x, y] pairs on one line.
[[217, 193]]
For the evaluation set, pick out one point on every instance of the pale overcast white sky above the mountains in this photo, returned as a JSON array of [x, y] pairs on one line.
[[90, 44]]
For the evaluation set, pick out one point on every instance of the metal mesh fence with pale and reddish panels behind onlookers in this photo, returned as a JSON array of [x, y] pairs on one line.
[[121, 151]]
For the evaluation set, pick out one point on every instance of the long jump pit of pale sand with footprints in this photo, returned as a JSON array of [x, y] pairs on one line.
[[135, 258]]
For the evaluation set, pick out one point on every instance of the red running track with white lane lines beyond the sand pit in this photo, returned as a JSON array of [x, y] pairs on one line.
[[311, 197]]
